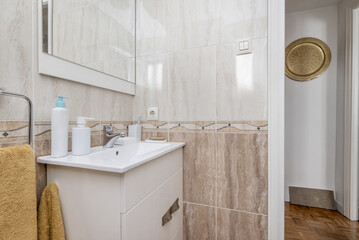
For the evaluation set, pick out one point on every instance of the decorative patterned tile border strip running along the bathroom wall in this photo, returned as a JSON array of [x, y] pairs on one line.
[[15, 131]]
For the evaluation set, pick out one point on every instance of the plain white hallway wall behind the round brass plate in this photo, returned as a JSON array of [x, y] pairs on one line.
[[310, 111]]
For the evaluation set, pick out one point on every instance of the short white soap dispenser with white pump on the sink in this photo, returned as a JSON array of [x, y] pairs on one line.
[[81, 137]]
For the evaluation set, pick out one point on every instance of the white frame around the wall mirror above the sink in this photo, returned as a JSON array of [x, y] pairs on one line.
[[60, 68]]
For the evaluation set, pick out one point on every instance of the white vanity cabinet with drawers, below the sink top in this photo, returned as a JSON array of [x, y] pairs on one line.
[[108, 205]]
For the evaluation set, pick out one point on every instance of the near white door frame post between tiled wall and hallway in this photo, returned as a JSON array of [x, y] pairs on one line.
[[276, 47]]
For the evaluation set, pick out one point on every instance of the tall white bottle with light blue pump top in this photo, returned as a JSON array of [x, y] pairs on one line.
[[59, 129]]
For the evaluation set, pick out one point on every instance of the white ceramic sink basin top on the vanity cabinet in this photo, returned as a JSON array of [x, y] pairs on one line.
[[118, 159]]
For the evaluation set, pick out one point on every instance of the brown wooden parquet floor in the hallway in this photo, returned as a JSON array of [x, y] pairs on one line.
[[317, 224]]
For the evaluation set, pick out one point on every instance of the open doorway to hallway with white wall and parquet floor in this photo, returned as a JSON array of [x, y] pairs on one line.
[[318, 162]]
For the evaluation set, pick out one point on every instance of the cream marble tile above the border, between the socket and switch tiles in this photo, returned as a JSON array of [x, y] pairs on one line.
[[192, 86]]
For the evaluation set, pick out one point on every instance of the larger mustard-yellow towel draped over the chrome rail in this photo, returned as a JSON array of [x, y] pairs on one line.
[[17, 193]]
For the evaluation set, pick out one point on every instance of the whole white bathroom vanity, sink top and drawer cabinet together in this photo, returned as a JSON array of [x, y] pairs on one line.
[[125, 192]]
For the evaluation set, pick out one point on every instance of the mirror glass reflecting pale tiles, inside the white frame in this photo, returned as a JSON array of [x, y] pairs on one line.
[[96, 34]]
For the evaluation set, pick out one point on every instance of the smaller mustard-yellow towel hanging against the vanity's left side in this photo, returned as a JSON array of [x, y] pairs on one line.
[[50, 225]]
